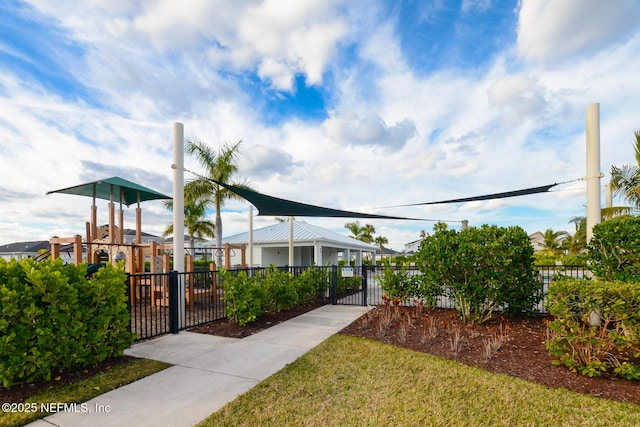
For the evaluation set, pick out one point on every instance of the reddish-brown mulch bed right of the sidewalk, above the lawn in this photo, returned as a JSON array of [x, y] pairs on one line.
[[522, 352]]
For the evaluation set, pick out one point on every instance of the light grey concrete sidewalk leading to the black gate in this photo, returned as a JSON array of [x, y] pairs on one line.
[[208, 372]]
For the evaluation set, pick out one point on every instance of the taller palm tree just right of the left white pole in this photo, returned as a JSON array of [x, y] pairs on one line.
[[220, 166]]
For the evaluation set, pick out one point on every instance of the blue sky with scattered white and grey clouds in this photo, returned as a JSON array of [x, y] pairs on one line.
[[346, 104]]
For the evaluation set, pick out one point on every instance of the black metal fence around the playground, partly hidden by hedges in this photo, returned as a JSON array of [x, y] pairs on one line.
[[153, 298]]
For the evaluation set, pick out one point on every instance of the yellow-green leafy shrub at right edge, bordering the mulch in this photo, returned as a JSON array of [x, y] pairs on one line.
[[596, 328]]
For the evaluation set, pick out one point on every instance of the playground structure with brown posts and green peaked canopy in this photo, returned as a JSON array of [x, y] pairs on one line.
[[107, 244]]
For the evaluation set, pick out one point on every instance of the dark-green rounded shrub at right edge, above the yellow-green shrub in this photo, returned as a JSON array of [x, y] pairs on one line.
[[614, 249]]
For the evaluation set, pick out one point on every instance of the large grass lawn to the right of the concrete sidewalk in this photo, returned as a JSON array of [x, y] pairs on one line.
[[348, 381]]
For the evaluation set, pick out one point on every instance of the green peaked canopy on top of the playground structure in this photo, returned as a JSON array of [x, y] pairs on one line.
[[114, 189]]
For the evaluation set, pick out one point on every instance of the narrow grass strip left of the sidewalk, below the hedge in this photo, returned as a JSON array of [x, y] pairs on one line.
[[85, 389]]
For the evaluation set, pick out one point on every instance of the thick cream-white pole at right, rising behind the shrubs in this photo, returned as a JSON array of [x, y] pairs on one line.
[[593, 168]]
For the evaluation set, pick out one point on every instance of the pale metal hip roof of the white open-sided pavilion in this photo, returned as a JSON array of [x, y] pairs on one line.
[[302, 232]]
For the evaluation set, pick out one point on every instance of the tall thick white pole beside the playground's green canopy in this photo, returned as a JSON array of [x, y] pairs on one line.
[[178, 213]]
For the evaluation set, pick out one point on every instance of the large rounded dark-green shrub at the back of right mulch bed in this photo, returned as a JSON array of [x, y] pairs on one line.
[[482, 269]]
